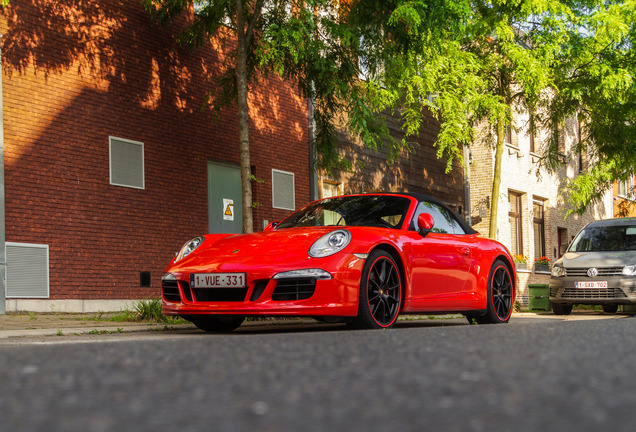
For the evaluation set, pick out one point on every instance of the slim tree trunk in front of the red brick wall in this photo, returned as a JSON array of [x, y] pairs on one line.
[[244, 119]]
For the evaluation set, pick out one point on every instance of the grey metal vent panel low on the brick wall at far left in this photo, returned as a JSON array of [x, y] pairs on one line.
[[27, 270]]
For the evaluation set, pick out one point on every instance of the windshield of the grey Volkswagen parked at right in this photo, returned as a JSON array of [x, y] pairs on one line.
[[608, 238]]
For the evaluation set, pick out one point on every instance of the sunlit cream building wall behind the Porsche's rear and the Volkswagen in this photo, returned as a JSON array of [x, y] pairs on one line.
[[524, 172]]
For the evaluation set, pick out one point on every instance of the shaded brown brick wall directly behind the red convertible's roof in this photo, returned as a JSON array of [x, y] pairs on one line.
[[415, 171]]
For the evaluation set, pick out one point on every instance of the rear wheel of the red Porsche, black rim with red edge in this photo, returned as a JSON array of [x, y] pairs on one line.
[[500, 294]]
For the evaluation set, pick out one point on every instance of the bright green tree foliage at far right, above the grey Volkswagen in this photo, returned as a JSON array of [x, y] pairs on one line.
[[595, 74]]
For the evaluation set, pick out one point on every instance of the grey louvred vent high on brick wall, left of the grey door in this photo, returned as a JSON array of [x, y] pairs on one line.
[[126, 163]]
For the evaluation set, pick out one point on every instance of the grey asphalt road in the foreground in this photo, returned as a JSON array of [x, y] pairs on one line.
[[529, 375]]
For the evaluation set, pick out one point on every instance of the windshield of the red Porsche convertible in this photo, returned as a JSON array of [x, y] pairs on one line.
[[362, 210]]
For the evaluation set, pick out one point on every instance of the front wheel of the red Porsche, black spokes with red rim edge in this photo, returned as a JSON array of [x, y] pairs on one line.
[[380, 297]]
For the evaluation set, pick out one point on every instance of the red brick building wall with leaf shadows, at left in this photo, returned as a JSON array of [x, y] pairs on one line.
[[76, 73]]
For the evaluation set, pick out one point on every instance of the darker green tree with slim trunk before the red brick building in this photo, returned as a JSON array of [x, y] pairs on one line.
[[324, 46]]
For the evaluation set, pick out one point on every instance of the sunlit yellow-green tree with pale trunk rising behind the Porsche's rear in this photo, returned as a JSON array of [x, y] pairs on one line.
[[473, 77]]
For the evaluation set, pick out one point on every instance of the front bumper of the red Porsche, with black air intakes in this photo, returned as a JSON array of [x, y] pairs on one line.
[[264, 295]]
